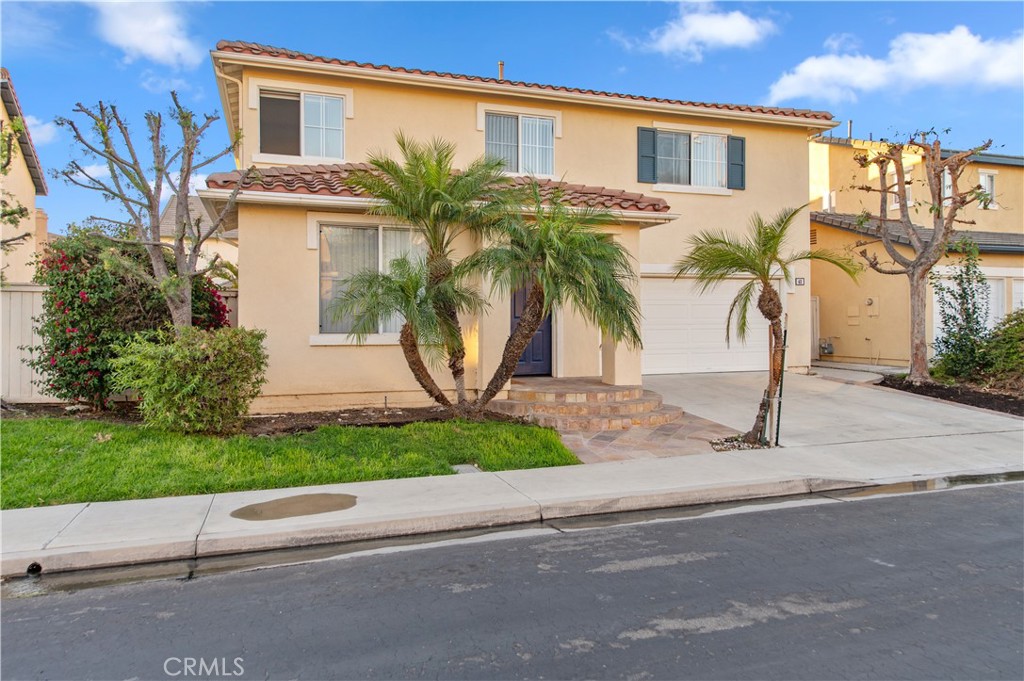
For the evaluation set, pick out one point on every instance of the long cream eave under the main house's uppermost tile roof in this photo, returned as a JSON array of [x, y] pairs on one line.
[[517, 92]]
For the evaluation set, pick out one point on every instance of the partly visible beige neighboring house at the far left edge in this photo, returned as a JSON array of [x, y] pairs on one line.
[[23, 183]]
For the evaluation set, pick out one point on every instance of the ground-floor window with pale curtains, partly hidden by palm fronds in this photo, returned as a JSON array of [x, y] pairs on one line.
[[346, 251]]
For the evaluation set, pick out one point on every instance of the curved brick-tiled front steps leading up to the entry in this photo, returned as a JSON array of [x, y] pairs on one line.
[[585, 405]]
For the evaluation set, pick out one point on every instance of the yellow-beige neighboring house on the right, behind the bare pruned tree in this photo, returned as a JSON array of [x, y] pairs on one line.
[[871, 321]]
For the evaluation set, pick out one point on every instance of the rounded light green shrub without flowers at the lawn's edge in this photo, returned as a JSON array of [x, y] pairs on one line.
[[201, 381]]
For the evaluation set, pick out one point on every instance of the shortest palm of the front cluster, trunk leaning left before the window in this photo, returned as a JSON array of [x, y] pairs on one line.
[[372, 300]]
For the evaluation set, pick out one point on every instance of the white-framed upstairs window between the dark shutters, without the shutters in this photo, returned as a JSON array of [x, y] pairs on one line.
[[693, 158]]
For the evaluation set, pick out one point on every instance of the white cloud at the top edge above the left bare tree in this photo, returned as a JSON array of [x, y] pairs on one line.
[[155, 31]]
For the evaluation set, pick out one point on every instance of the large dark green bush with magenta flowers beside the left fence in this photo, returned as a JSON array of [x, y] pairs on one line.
[[90, 308]]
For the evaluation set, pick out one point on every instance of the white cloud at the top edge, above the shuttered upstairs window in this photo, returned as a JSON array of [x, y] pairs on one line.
[[699, 28]]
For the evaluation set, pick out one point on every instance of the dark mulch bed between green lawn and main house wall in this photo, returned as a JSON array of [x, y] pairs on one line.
[[274, 424]]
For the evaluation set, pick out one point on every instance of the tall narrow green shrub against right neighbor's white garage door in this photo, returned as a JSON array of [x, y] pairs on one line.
[[963, 307]]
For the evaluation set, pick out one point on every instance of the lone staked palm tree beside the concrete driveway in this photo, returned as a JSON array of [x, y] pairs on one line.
[[716, 257]]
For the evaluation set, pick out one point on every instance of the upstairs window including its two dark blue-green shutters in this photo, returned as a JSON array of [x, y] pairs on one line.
[[691, 159]]
